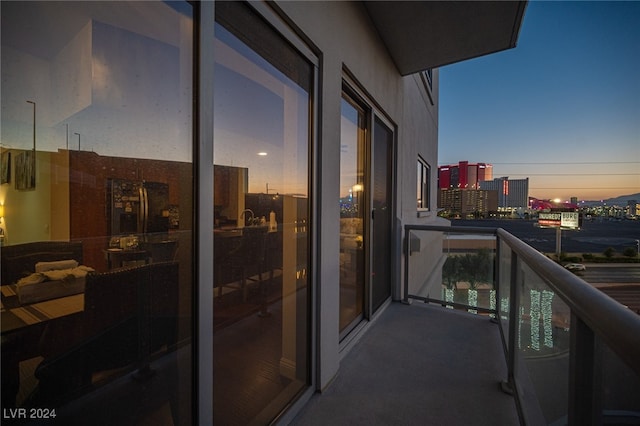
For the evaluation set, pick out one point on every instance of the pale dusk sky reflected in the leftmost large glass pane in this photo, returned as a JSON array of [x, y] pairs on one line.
[[103, 74]]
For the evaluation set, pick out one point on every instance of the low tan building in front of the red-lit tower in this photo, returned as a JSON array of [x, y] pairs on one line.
[[467, 202]]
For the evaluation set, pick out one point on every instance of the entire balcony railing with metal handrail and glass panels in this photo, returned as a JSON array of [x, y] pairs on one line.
[[572, 352]]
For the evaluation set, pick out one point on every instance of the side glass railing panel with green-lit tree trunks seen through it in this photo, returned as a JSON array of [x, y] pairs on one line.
[[543, 333]]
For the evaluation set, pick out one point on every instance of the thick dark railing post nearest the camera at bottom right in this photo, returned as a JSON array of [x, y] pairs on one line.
[[585, 378]]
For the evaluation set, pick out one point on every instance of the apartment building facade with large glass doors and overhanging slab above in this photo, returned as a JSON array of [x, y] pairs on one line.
[[236, 177]]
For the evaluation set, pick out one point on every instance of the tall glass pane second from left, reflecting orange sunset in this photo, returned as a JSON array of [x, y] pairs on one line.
[[261, 181]]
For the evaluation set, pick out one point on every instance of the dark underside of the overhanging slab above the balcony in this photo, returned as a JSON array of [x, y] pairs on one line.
[[429, 34]]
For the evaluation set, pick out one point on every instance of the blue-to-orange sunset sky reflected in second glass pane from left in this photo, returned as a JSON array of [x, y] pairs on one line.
[[259, 109]]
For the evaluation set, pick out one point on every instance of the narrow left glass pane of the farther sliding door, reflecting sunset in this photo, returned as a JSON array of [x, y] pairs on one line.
[[352, 202]]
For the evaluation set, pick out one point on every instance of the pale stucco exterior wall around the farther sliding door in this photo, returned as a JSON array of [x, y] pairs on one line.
[[344, 37]]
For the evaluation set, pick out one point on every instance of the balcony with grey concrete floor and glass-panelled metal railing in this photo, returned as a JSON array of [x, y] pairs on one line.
[[504, 337]]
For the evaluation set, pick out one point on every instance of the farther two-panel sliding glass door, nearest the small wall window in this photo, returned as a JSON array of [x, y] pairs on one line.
[[366, 209]]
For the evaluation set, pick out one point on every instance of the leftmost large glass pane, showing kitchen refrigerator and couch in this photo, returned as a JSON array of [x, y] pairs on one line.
[[97, 126]]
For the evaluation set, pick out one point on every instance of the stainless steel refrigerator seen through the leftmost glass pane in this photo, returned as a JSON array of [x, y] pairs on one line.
[[138, 208]]
